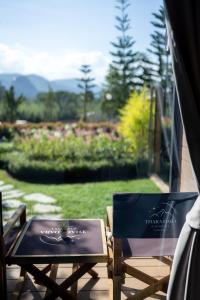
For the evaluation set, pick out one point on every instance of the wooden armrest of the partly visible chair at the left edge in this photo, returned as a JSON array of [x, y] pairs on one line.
[[20, 215]]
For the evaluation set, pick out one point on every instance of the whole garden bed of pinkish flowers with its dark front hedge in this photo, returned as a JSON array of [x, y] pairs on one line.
[[67, 153]]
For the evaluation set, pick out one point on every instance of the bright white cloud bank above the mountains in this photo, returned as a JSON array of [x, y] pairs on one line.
[[66, 65]]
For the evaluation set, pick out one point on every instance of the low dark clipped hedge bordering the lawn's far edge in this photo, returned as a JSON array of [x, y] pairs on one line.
[[55, 172]]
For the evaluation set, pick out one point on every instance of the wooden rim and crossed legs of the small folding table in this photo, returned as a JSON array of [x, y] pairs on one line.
[[82, 263]]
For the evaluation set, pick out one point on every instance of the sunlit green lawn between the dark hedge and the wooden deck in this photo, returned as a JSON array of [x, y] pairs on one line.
[[87, 200]]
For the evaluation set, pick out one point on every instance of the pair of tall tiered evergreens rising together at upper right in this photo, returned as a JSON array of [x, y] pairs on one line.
[[130, 70]]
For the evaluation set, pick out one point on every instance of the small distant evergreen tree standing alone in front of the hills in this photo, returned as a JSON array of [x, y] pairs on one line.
[[86, 84]]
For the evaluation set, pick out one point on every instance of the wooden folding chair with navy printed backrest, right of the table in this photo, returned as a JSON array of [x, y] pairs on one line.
[[144, 225]]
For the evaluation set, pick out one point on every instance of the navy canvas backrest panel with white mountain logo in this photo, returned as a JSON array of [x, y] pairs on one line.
[[150, 215]]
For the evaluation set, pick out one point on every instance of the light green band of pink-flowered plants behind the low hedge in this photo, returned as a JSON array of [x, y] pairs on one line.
[[72, 148]]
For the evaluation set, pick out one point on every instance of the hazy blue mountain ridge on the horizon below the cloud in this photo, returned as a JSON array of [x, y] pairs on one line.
[[31, 85]]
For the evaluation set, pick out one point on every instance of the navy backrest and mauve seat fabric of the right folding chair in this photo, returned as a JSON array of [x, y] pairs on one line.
[[152, 220]]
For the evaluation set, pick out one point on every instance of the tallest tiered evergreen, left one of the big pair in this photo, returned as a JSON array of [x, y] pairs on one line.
[[121, 74]]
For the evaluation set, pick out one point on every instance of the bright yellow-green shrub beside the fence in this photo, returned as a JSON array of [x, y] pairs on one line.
[[134, 123]]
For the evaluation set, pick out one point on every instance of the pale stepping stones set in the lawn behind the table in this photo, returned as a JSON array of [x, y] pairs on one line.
[[42, 205]]
